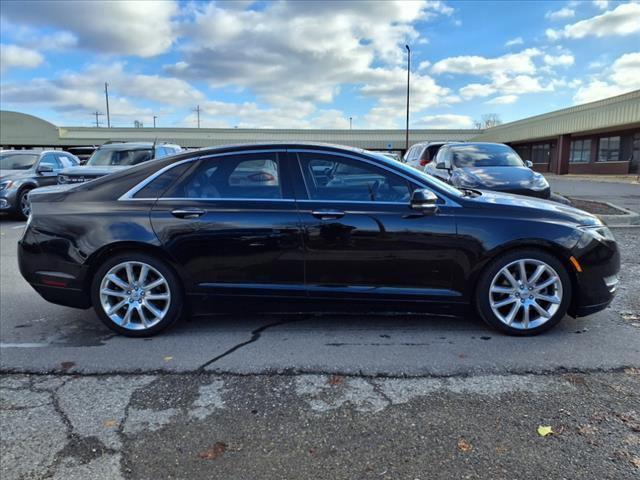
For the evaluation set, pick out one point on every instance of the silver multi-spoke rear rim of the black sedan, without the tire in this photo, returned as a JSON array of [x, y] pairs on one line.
[[134, 295]]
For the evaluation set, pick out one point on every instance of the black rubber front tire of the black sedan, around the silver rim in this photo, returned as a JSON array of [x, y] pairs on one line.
[[482, 297]]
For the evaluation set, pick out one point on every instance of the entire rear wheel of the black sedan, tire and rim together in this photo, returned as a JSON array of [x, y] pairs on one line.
[[136, 294]]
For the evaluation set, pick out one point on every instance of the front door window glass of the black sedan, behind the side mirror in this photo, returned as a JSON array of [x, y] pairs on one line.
[[336, 178]]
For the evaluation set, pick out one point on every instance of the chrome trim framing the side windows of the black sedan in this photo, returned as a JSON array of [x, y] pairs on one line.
[[131, 192]]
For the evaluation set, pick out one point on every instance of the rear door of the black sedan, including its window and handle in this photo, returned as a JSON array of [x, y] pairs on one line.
[[231, 221]]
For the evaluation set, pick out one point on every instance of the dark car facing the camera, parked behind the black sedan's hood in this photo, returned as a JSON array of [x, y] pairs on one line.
[[487, 166]]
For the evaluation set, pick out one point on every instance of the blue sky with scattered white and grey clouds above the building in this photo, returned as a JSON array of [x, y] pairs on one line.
[[312, 64]]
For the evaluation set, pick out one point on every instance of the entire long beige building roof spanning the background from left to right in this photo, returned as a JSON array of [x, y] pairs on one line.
[[623, 110]]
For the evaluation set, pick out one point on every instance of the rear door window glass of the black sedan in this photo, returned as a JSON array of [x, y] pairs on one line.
[[251, 176]]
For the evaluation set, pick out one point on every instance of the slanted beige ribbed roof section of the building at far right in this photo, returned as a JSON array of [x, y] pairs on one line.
[[602, 115]]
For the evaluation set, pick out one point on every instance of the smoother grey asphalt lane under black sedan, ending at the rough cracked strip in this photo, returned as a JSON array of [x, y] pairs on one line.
[[37, 336]]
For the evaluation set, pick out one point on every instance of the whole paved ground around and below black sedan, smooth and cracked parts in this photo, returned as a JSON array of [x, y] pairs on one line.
[[306, 396]]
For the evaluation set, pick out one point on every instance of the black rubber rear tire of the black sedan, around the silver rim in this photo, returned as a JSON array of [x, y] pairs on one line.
[[174, 310]]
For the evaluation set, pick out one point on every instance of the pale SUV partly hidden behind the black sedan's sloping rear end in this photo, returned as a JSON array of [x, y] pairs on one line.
[[111, 157]]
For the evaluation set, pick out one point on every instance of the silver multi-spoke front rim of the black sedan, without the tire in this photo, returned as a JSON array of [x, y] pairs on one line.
[[525, 294]]
